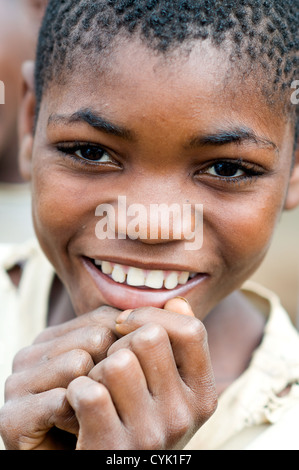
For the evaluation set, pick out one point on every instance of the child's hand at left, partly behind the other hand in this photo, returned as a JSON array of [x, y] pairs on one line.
[[36, 405]]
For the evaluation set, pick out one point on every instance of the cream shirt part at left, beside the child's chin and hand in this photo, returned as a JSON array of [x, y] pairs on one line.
[[23, 310]]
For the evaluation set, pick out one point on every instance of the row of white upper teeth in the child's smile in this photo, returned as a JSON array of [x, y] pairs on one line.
[[155, 279]]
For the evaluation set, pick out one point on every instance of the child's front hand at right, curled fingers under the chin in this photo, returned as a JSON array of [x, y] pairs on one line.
[[155, 388]]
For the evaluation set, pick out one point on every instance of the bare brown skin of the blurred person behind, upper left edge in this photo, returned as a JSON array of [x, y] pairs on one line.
[[19, 23]]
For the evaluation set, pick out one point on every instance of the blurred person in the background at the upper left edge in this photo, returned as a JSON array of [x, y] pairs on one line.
[[19, 25]]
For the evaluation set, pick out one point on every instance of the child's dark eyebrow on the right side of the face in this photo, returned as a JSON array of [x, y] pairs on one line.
[[237, 135]]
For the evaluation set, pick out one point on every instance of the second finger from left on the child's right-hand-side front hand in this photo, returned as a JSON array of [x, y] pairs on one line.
[[123, 376]]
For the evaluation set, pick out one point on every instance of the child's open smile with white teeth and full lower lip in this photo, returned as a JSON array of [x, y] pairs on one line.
[[129, 287]]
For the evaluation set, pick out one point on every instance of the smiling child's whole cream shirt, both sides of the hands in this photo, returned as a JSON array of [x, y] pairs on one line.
[[250, 413]]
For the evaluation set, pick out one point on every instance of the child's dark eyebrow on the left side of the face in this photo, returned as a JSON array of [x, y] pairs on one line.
[[94, 120]]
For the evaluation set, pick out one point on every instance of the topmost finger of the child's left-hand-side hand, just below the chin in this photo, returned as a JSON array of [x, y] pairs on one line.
[[104, 317]]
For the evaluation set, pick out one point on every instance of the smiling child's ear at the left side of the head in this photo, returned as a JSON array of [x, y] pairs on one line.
[[26, 121]]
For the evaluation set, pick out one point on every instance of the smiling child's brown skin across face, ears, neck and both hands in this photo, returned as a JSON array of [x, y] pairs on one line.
[[90, 376]]
